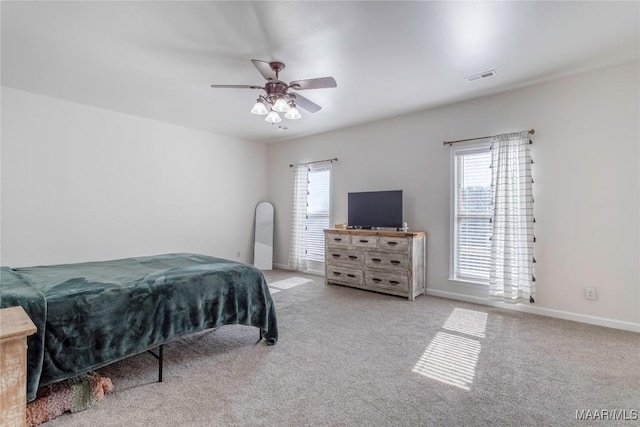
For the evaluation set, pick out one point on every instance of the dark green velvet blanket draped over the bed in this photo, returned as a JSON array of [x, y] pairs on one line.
[[92, 314]]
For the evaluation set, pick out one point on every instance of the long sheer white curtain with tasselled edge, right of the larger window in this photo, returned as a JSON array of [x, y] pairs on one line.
[[511, 269]]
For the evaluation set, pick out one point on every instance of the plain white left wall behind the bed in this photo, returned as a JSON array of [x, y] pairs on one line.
[[86, 184]]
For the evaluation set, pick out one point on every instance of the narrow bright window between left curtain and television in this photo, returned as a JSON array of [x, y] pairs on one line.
[[318, 210]]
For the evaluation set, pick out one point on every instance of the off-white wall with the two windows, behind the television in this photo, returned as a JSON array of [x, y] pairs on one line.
[[586, 153]]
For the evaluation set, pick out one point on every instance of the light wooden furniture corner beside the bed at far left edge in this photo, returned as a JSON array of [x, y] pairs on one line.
[[15, 326]]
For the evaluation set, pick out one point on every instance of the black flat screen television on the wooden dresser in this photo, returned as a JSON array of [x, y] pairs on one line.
[[372, 209]]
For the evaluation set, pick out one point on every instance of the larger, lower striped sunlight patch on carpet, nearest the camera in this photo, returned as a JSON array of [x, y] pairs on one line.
[[450, 359]]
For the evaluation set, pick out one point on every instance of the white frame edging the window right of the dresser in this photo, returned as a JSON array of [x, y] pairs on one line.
[[455, 150]]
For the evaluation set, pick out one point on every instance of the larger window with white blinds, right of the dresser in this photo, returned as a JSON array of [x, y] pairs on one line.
[[472, 211]]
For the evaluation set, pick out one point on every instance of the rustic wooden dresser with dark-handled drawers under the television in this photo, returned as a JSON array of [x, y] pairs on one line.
[[391, 262]]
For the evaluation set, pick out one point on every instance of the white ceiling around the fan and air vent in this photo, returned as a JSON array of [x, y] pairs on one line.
[[157, 59]]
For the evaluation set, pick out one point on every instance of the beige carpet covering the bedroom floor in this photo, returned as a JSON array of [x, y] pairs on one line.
[[355, 358]]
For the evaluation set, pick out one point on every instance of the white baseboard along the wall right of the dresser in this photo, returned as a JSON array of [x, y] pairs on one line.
[[582, 318]]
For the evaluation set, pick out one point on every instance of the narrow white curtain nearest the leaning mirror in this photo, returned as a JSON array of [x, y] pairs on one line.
[[297, 252]]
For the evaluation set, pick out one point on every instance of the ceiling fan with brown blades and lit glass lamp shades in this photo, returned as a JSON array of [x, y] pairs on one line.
[[278, 99]]
